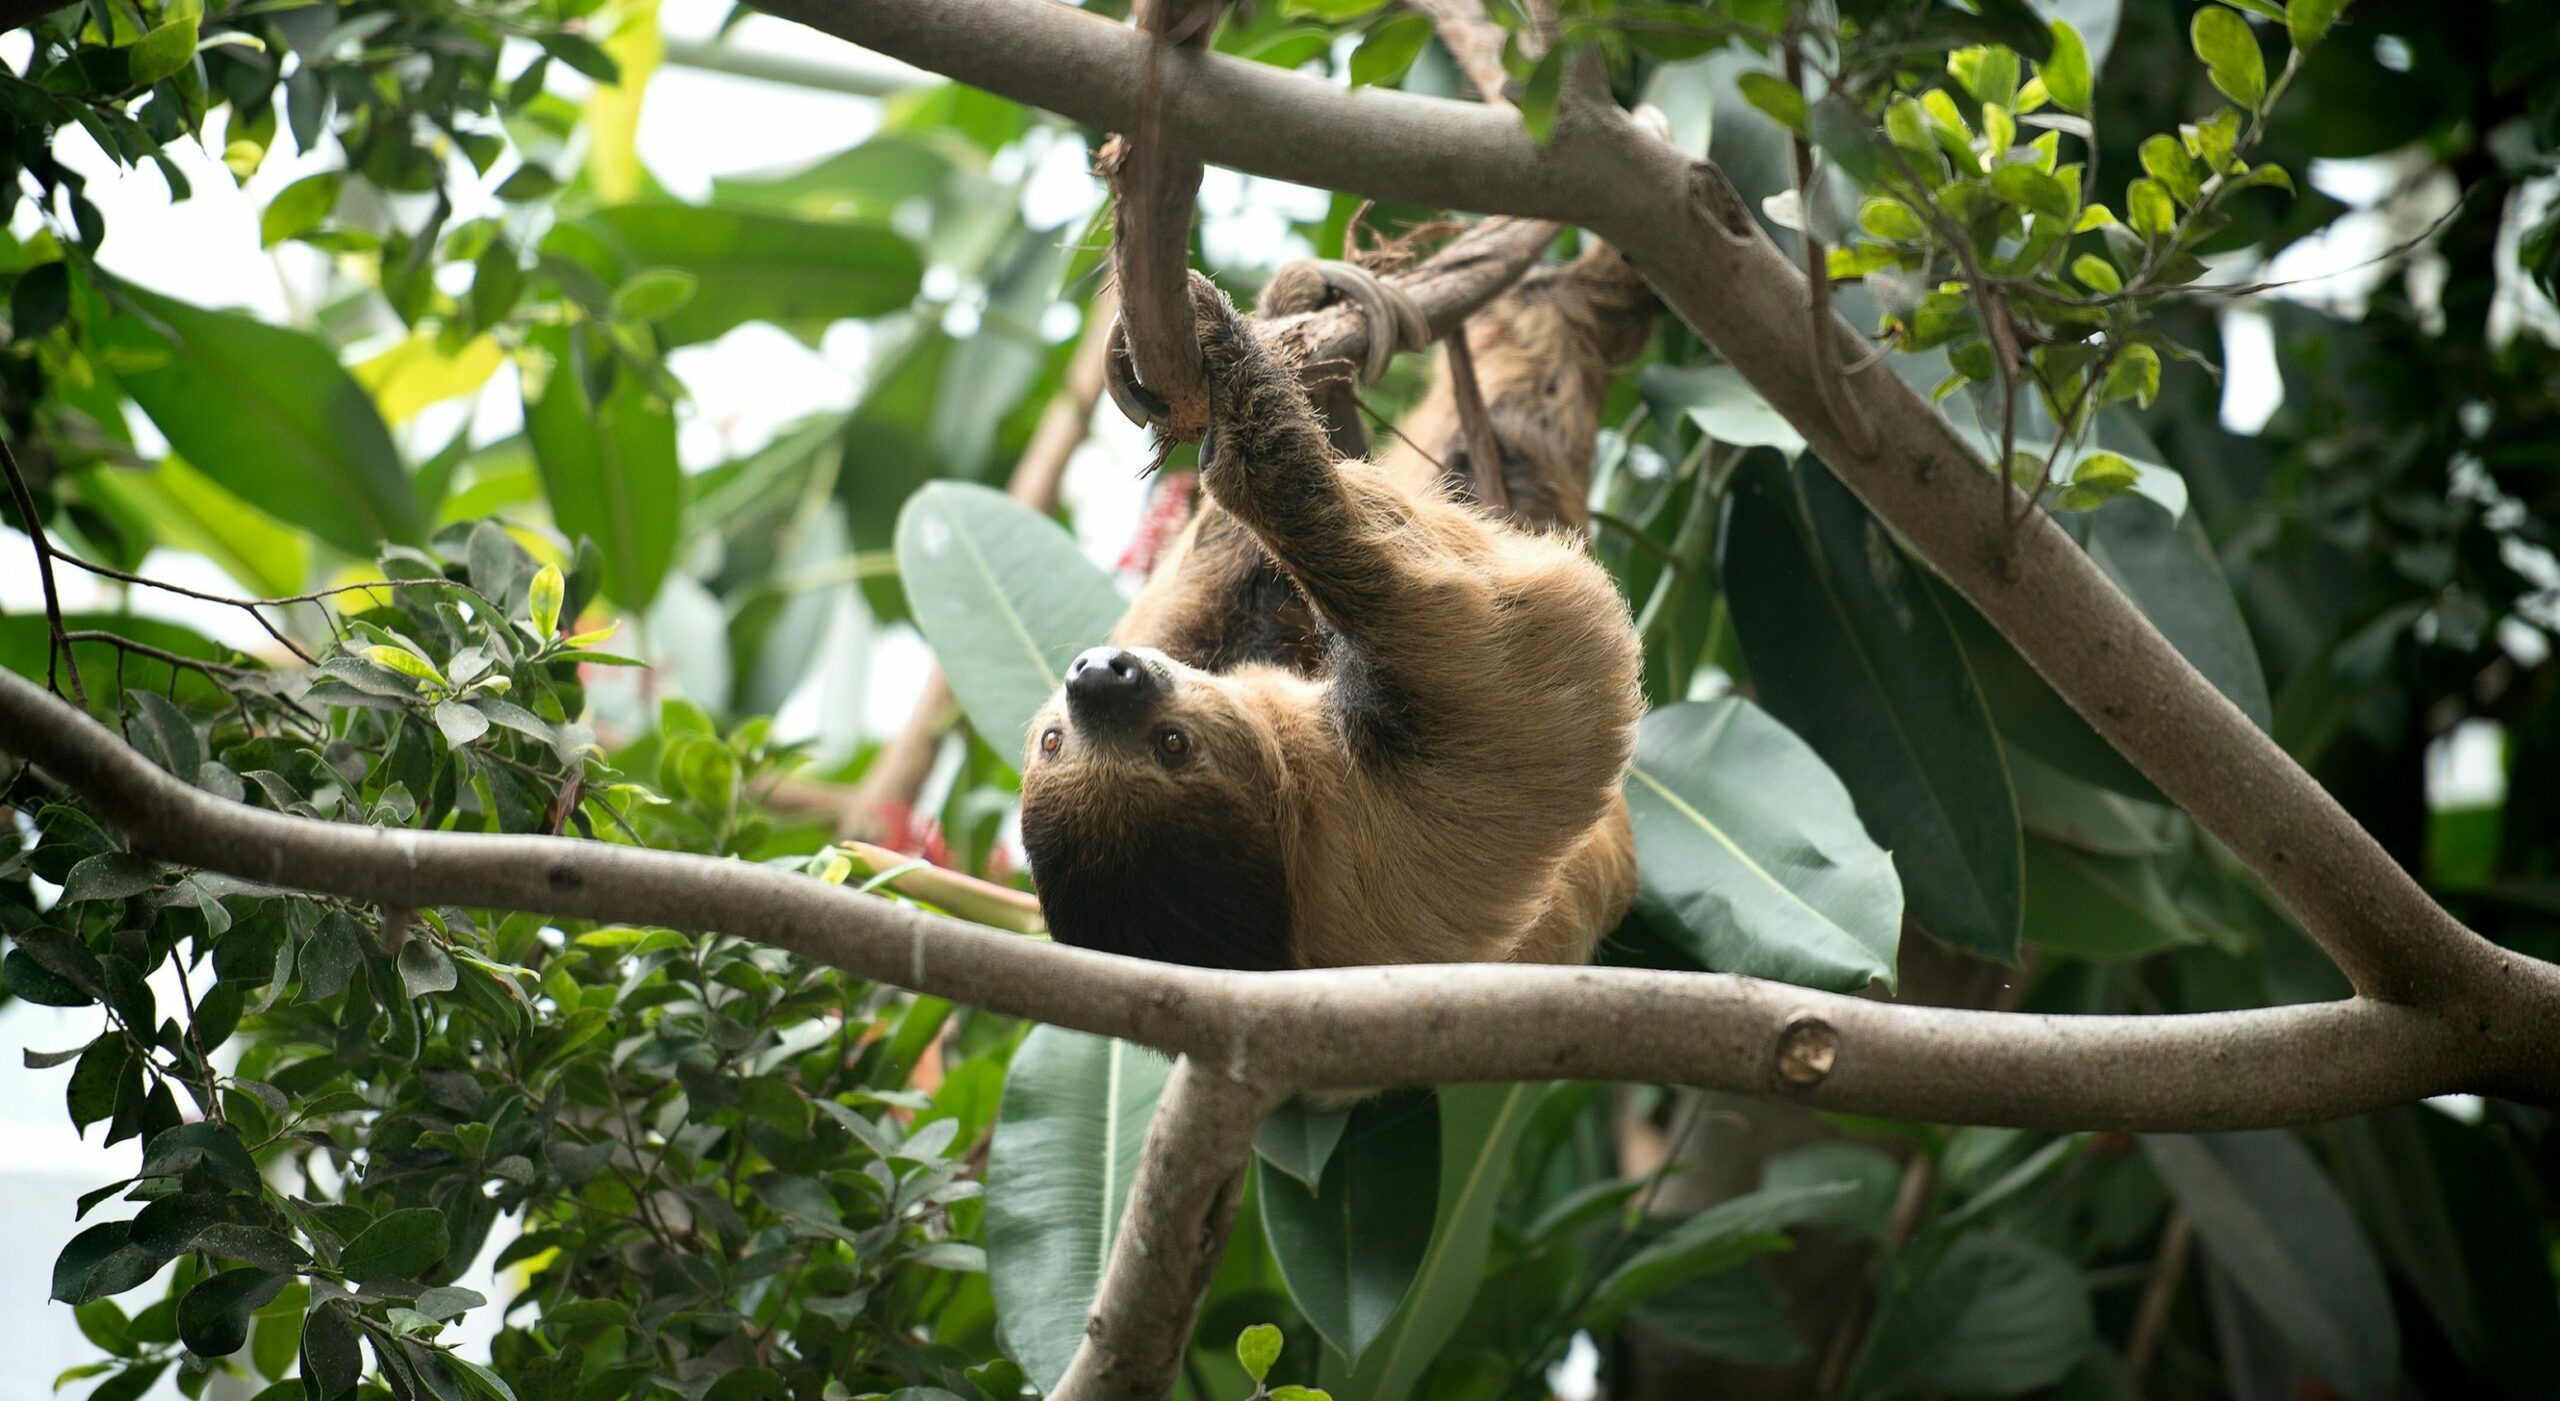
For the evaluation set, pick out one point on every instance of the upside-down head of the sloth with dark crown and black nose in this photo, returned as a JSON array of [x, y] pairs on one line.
[[1151, 811]]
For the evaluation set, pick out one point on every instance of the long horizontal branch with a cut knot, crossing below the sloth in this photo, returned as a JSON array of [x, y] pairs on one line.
[[1361, 1028]]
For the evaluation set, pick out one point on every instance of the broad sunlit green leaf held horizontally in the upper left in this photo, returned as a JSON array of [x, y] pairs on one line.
[[754, 265]]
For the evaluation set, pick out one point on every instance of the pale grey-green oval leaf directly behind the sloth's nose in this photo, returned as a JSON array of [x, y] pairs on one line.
[[1005, 598]]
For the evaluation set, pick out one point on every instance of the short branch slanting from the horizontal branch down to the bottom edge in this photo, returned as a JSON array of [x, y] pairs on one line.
[[1181, 1208]]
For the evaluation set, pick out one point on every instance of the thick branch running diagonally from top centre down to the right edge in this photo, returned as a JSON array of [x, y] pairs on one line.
[[1686, 227]]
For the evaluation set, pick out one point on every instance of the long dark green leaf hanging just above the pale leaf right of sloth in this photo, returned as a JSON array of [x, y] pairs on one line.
[[1850, 652]]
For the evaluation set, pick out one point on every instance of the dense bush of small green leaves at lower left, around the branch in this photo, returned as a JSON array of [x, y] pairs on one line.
[[710, 1159]]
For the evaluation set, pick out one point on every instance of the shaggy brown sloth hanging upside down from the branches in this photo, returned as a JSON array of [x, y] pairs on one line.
[[1356, 718]]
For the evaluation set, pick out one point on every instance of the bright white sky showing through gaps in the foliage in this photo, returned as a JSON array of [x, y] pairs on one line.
[[744, 388]]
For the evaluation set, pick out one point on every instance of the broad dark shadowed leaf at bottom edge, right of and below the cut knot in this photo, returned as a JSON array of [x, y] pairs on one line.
[[1993, 1318]]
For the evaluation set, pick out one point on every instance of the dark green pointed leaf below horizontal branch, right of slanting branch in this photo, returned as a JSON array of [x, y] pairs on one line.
[[1350, 1249]]
